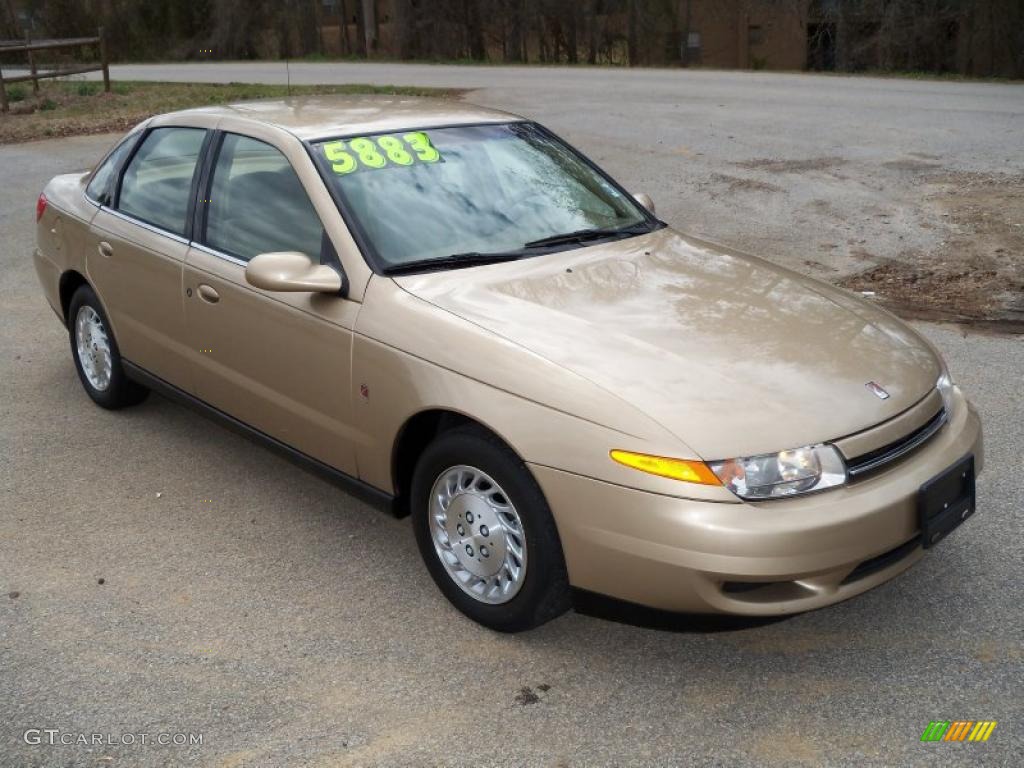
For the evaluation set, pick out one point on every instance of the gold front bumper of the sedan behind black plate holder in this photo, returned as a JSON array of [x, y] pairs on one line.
[[766, 559]]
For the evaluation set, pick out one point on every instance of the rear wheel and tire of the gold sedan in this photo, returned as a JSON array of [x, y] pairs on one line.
[[102, 374]]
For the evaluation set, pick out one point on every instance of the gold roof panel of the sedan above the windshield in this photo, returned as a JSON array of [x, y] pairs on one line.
[[324, 117]]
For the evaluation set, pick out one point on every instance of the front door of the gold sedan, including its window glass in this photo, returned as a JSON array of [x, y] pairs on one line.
[[279, 362]]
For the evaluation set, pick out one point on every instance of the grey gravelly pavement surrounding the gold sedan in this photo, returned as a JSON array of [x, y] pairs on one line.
[[159, 575]]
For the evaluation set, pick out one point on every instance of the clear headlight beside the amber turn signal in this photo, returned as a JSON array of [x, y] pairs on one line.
[[787, 474]]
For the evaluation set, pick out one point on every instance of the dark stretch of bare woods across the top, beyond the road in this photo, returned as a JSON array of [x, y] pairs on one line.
[[974, 37]]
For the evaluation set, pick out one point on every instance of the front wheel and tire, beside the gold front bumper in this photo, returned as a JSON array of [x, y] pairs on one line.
[[494, 473]]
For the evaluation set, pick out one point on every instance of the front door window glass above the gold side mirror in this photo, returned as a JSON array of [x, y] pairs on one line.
[[258, 204]]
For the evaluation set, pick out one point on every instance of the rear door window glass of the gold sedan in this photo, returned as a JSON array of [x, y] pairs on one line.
[[157, 184]]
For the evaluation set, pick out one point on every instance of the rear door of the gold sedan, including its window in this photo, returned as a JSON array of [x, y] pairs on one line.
[[137, 249]]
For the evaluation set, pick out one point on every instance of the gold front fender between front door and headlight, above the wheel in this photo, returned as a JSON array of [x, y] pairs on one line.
[[411, 357]]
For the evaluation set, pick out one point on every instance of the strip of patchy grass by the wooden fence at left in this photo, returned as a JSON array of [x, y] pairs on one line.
[[75, 108]]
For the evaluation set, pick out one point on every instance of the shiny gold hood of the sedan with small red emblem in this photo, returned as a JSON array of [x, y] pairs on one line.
[[733, 355]]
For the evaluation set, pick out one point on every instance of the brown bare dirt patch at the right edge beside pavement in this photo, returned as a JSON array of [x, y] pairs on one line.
[[976, 277]]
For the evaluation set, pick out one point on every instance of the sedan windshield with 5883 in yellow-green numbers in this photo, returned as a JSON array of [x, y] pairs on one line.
[[472, 191]]
